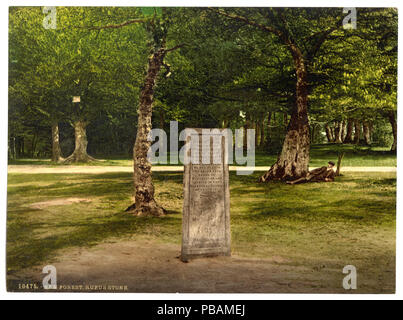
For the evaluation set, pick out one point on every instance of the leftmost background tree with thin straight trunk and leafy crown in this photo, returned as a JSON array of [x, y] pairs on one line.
[[35, 74]]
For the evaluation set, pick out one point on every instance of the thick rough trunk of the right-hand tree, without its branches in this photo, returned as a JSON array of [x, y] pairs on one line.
[[293, 161]]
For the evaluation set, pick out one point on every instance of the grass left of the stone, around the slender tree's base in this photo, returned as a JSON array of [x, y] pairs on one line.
[[25, 249]]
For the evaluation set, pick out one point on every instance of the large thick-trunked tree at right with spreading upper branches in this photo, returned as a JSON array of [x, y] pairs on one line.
[[303, 45]]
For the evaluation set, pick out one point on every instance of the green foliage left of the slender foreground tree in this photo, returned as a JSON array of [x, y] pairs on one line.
[[48, 67]]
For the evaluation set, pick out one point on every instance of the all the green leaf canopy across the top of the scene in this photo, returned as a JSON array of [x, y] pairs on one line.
[[224, 69]]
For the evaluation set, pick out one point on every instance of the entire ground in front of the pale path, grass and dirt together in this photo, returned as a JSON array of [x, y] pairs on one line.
[[284, 238]]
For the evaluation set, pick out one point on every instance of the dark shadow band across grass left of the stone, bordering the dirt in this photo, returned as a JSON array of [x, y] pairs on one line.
[[34, 251]]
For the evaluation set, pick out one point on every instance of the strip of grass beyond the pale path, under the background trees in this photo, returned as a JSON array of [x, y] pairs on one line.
[[355, 156]]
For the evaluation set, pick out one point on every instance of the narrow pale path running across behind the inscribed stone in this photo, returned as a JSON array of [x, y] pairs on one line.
[[110, 169]]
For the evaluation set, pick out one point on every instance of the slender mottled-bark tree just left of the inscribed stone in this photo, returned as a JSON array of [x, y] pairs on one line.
[[156, 26]]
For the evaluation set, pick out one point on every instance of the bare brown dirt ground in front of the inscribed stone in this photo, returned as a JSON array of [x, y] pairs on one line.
[[147, 266]]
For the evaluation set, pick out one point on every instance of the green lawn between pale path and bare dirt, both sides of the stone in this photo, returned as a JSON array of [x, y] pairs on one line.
[[351, 221]]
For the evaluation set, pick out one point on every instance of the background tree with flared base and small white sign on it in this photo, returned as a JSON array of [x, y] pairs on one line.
[[102, 72]]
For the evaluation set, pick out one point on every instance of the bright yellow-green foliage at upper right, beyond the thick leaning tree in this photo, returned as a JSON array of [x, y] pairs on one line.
[[358, 69]]
